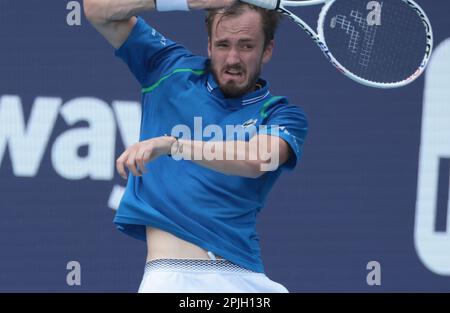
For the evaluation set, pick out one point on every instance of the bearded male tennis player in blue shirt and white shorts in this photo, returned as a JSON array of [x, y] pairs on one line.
[[197, 213]]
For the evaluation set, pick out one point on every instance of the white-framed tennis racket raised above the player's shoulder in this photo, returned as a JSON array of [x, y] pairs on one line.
[[382, 44]]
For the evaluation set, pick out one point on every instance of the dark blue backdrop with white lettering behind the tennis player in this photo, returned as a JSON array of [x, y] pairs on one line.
[[373, 184]]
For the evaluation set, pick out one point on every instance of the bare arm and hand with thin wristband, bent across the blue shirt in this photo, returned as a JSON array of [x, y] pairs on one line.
[[241, 158]]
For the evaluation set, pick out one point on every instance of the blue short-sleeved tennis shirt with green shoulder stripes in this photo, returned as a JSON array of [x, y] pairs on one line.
[[212, 210]]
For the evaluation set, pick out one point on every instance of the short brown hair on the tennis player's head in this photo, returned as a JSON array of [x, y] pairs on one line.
[[270, 18]]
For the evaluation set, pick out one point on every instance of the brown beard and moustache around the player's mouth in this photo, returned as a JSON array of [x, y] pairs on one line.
[[231, 89]]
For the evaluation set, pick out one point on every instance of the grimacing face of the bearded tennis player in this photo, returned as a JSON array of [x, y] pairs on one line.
[[237, 53]]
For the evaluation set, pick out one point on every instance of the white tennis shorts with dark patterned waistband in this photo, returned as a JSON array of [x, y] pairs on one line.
[[204, 276]]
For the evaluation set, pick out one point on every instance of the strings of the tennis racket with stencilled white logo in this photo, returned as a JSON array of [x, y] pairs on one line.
[[389, 52]]
